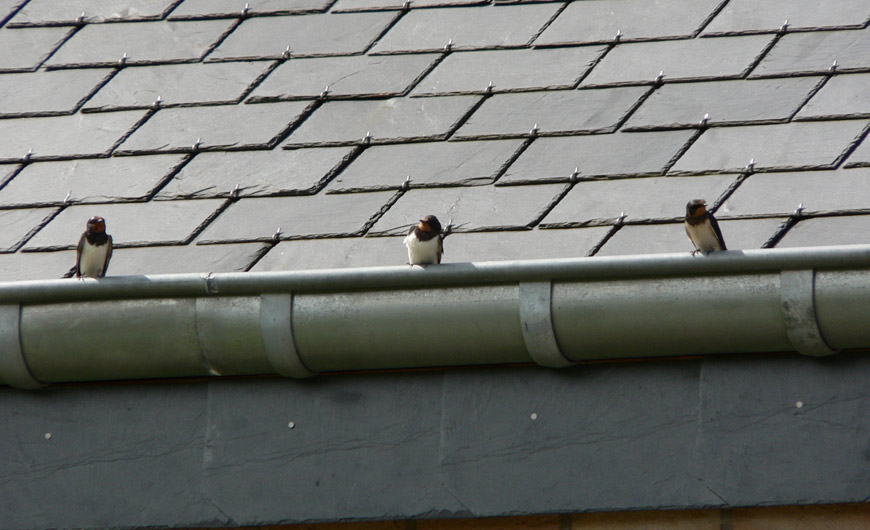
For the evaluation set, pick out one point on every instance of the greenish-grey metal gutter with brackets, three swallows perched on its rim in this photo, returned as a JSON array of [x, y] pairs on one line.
[[553, 312]]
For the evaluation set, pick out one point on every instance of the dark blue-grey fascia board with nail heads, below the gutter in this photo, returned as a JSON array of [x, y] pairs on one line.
[[719, 432]]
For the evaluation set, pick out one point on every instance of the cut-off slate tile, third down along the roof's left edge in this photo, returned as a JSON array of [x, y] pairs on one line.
[[47, 92]]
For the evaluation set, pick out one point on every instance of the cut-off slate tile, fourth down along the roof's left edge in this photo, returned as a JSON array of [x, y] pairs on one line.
[[65, 136]]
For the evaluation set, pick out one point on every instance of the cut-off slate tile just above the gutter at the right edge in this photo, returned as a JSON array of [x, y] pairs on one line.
[[824, 231]]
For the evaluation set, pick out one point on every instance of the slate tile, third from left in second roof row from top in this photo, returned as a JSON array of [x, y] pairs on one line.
[[326, 34]]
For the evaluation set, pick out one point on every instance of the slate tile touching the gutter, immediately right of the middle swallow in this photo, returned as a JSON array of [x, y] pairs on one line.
[[523, 244]]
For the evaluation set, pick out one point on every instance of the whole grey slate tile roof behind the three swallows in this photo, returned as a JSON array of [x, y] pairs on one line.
[[220, 135]]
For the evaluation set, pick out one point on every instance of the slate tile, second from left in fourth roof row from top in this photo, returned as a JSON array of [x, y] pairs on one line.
[[225, 126]]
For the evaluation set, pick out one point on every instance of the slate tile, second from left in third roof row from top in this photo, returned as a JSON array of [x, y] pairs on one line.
[[139, 87]]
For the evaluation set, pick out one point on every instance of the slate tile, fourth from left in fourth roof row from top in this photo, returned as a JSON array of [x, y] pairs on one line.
[[561, 111]]
